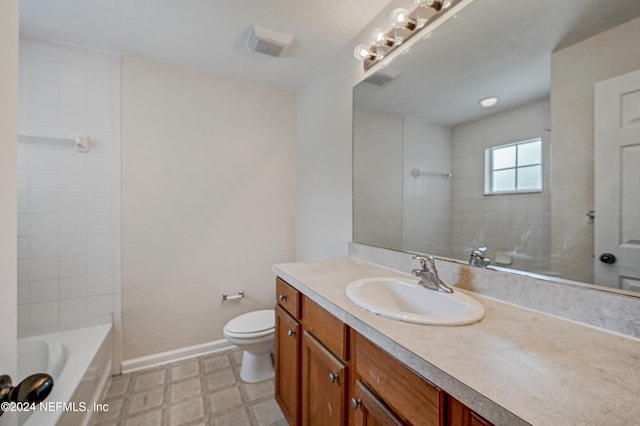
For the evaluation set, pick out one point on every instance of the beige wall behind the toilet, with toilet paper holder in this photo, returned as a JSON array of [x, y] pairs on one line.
[[207, 202]]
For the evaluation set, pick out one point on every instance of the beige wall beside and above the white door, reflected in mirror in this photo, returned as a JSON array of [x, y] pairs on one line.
[[574, 71]]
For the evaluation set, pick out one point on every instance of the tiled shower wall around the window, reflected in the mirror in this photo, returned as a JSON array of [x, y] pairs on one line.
[[518, 225]]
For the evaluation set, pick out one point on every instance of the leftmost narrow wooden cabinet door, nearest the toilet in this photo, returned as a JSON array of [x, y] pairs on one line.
[[287, 366]]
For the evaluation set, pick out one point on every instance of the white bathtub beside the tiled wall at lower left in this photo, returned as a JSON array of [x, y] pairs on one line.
[[80, 363]]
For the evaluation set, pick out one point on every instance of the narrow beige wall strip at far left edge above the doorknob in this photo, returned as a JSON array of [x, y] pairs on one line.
[[8, 183]]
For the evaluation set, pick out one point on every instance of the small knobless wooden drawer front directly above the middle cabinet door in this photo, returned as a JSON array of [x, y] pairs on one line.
[[325, 327]]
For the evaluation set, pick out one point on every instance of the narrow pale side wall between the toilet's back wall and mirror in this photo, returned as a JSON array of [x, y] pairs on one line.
[[324, 151]]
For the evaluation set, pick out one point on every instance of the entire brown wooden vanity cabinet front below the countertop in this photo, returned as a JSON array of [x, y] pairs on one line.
[[328, 374]]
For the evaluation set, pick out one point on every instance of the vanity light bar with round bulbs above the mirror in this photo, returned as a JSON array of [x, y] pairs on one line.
[[404, 25]]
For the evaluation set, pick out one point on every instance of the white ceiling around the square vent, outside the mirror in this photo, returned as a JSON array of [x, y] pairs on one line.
[[206, 35]]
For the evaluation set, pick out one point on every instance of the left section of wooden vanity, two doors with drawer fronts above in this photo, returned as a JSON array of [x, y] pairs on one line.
[[311, 373]]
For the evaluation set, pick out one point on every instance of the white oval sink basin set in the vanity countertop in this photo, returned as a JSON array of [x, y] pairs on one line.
[[405, 300]]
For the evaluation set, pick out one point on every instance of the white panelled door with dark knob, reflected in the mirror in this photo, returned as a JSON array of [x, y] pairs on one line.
[[617, 182]]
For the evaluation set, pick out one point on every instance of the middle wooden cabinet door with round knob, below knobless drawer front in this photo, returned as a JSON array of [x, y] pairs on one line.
[[324, 385]]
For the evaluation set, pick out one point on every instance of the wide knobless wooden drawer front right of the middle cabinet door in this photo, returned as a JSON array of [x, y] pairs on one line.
[[415, 400]]
